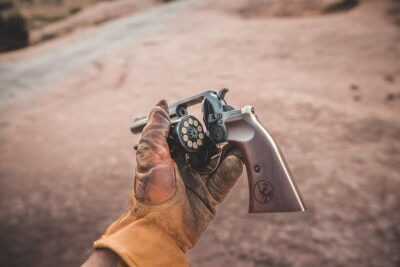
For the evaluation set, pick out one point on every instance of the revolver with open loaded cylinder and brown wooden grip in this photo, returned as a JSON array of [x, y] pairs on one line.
[[271, 184]]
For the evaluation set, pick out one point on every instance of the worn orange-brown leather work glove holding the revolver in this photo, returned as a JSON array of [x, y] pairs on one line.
[[171, 204]]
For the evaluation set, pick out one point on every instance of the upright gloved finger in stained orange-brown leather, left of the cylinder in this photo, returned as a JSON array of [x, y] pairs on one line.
[[155, 177]]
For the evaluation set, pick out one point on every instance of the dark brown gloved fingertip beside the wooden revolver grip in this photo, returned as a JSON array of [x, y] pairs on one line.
[[225, 177]]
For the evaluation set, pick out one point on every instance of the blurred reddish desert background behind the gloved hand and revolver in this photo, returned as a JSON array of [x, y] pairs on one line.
[[323, 76]]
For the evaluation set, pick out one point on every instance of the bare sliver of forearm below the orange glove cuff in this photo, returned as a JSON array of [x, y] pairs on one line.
[[103, 258]]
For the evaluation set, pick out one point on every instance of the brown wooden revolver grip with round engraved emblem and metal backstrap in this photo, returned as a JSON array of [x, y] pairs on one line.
[[271, 185]]
